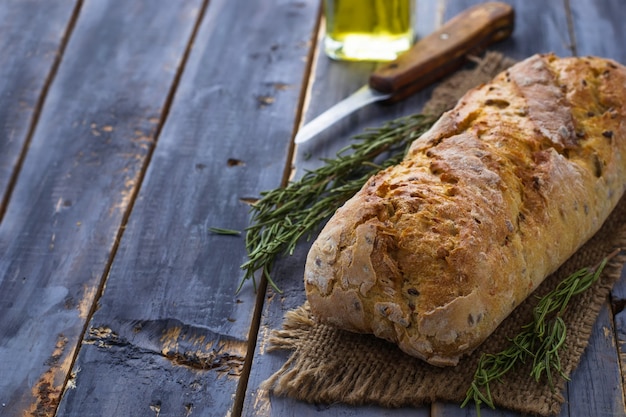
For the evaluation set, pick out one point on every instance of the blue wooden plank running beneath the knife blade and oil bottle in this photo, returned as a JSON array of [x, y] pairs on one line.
[[331, 82]]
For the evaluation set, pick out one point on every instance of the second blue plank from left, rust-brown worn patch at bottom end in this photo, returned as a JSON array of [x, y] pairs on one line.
[[83, 166]]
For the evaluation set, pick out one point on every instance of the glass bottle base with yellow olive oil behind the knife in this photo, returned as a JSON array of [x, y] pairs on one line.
[[368, 30]]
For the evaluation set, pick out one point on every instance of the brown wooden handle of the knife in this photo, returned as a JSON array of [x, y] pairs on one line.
[[445, 50]]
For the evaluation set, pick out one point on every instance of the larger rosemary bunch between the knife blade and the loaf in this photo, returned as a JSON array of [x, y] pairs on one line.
[[284, 215]]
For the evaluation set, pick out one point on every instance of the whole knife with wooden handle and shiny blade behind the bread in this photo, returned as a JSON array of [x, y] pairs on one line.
[[433, 57]]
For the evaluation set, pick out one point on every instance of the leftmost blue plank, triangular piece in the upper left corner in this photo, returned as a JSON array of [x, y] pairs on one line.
[[31, 37]]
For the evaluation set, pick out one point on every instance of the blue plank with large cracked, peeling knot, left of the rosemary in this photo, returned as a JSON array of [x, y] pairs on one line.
[[171, 335]]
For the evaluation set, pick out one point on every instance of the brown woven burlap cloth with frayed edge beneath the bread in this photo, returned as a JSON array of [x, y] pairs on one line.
[[333, 366]]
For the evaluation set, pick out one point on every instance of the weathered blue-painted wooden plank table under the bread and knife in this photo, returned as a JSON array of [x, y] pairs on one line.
[[129, 128]]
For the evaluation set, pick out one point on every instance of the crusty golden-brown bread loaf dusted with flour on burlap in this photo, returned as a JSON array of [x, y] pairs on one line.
[[434, 253]]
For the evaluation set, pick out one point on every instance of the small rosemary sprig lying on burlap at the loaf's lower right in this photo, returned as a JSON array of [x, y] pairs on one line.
[[539, 341]]
